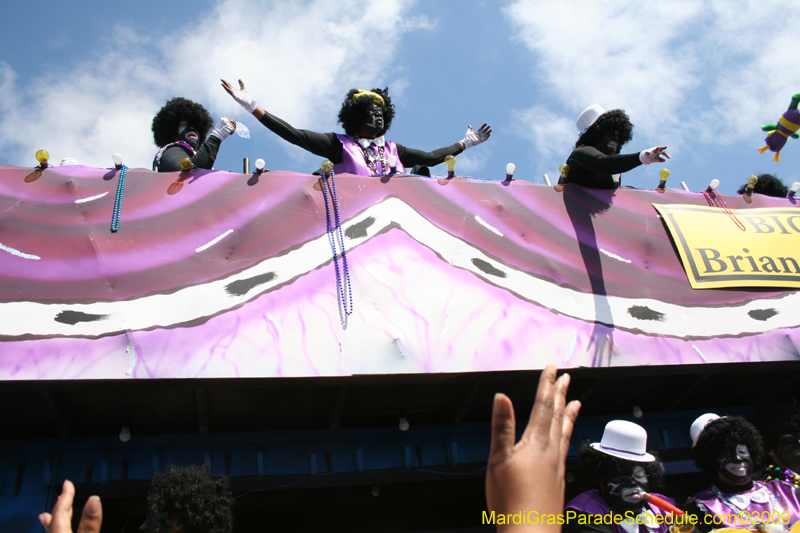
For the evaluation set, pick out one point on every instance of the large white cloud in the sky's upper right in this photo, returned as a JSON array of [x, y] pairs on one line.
[[685, 71]]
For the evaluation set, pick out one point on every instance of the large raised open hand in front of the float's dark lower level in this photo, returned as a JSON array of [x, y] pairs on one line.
[[529, 475]]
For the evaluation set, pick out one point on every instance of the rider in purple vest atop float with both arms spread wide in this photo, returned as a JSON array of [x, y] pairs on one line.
[[362, 150]]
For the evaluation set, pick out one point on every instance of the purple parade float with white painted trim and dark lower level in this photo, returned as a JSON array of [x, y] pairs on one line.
[[334, 342]]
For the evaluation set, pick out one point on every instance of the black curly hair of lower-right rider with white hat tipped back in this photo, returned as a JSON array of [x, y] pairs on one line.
[[721, 431]]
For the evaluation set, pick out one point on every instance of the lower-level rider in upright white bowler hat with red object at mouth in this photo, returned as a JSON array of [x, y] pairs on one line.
[[624, 473]]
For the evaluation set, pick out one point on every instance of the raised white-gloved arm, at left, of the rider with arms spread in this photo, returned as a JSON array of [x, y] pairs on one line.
[[322, 144]]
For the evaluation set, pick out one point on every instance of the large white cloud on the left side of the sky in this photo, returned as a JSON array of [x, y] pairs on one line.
[[298, 58]]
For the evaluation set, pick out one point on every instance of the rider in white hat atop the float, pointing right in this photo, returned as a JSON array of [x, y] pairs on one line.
[[596, 161]]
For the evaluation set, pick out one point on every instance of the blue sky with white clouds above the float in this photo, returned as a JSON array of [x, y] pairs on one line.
[[83, 79]]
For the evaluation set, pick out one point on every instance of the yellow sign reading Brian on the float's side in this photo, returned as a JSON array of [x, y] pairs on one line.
[[716, 252]]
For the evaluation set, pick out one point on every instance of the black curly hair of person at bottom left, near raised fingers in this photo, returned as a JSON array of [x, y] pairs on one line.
[[189, 494]]
